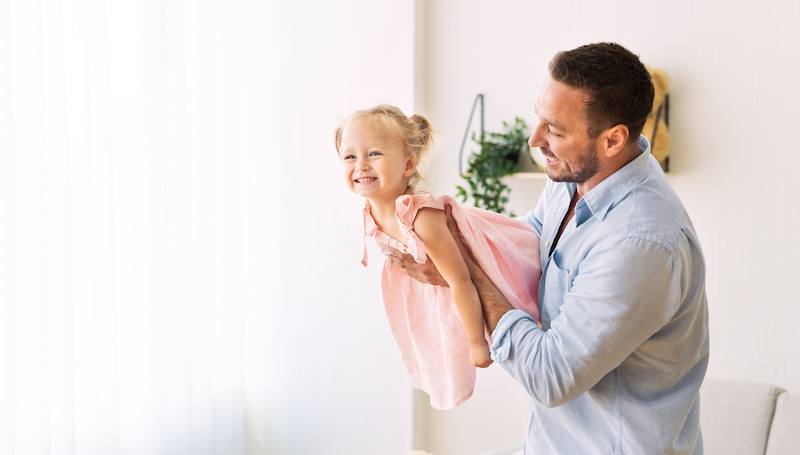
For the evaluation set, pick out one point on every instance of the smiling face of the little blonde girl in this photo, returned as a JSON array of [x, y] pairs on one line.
[[375, 162]]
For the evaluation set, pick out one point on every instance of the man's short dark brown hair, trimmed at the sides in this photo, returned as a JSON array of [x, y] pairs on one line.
[[619, 86]]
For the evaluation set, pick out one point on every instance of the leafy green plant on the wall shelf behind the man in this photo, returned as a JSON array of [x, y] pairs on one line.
[[498, 155]]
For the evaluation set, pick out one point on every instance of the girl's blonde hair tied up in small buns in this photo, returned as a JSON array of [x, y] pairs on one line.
[[415, 131]]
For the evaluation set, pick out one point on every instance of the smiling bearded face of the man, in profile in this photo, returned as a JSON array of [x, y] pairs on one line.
[[562, 133]]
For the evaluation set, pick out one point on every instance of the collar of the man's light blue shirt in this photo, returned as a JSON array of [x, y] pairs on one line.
[[616, 186]]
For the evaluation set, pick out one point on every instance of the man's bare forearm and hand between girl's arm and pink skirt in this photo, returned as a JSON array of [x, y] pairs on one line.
[[494, 303]]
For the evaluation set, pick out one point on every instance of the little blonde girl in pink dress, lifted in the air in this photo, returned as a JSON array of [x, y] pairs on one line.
[[440, 330]]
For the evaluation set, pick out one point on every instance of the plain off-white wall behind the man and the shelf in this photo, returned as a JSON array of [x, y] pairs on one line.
[[734, 115]]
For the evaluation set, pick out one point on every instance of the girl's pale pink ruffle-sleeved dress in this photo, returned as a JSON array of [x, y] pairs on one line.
[[423, 318]]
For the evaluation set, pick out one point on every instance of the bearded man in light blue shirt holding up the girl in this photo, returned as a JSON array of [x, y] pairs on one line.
[[616, 366]]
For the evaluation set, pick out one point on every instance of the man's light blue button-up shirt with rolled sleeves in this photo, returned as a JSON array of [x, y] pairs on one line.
[[617, 364]]
